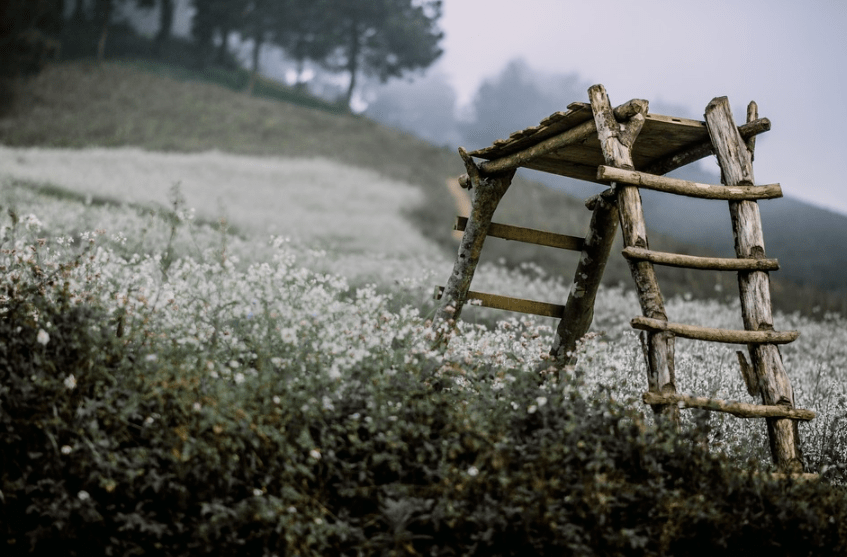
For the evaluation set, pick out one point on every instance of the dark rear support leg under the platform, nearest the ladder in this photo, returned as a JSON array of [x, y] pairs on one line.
[[579, 309]]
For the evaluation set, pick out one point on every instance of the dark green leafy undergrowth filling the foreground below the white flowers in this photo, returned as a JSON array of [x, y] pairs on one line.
[[121, 446]]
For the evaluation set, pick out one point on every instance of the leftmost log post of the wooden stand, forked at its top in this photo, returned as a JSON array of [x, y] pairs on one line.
[[487, 191]]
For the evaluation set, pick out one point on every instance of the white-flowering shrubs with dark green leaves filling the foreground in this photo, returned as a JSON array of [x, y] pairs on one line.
[[167, 387]]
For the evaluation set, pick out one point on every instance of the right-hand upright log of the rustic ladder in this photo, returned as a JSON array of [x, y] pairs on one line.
[[735, 159]]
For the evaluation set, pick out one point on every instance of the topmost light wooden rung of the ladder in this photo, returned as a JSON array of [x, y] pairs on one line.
[[684, 187]]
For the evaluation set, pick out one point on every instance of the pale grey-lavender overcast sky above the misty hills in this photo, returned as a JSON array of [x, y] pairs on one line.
[[788, 56]]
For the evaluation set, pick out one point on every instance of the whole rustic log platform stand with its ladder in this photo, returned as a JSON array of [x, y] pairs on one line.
[[628, 148]]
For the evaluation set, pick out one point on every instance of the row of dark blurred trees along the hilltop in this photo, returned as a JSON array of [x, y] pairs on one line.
[[375, 38]]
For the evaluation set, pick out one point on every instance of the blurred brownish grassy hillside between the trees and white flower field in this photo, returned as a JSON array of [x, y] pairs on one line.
[[77, 105]]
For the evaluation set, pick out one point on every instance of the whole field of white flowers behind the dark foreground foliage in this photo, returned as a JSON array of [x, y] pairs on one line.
[[324, 273]]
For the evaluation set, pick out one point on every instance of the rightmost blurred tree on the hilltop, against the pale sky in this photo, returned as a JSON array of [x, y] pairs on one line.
[[382, 38]]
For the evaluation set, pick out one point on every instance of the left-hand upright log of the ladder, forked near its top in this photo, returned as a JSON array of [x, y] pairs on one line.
[[616, 140]]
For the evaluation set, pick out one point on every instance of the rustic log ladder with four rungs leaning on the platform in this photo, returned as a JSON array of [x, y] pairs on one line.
[[765, 376]]
